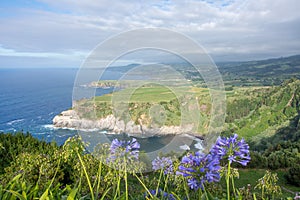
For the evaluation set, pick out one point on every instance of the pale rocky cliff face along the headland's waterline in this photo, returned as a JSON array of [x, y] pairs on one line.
[[70, 119]]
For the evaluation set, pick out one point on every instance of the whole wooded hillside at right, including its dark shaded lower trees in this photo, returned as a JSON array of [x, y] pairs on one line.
[[269, 120]]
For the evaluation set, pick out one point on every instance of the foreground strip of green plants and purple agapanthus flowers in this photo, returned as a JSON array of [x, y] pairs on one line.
[[33, 169]]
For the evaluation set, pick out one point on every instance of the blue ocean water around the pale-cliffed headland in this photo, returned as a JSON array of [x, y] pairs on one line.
[[31, 98]]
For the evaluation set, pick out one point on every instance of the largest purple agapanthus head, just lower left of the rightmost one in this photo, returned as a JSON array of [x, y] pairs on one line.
[[199, 168]]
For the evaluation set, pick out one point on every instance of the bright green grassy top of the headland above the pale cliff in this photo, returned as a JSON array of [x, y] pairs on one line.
[[141, 101]]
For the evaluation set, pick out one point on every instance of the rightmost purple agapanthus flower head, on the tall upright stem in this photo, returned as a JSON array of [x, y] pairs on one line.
[[232, 149]]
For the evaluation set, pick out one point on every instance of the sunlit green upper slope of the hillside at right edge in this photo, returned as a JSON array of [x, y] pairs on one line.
[[259, 112]]
